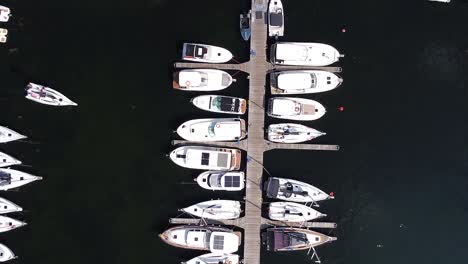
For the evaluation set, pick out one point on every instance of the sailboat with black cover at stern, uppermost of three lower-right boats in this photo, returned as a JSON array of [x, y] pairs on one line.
[[294, 191]]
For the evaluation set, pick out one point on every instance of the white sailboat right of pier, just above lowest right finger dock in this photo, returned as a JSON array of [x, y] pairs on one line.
[[292, 212]]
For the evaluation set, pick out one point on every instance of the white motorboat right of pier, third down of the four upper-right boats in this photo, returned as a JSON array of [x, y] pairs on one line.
[[295, 108]]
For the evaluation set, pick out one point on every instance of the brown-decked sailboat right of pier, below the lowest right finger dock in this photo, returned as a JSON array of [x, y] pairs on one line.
[[288, 239]]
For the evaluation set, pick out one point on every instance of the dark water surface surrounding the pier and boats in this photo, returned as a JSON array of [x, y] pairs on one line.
[[400, 179]]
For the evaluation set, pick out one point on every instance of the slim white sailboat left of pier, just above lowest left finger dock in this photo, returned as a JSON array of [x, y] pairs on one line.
[[215, 209]]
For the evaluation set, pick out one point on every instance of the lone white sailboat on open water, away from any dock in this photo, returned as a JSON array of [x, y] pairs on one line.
[[46, 95]]
